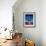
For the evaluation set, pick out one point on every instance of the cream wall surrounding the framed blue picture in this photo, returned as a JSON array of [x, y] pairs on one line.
[[28, 6]]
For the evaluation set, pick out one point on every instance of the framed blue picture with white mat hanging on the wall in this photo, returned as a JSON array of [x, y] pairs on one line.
[[29, 19]]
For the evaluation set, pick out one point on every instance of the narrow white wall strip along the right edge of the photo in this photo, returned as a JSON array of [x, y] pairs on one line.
[[43, 22]]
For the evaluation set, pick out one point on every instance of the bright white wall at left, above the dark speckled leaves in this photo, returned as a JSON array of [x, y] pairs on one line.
[[6, 13]]
